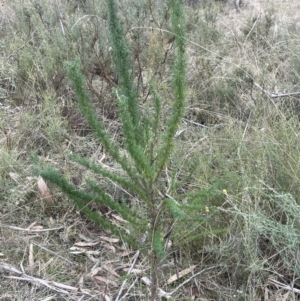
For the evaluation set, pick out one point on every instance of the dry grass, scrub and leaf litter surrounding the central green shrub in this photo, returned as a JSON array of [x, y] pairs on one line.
[[239, 128]]
